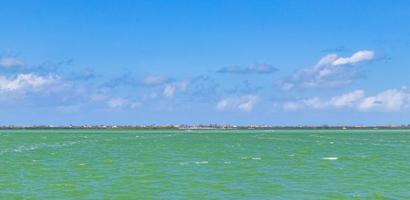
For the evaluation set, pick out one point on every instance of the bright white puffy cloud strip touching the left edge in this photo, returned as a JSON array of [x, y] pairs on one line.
[[26, 82]]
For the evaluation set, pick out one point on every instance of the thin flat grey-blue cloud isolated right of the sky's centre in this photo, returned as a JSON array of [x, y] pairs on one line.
[[253, 69]]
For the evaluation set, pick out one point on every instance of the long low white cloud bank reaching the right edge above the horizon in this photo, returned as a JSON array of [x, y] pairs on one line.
[[391, 100]]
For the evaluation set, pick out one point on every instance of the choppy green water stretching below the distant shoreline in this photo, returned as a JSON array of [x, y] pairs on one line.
[[302, 164]]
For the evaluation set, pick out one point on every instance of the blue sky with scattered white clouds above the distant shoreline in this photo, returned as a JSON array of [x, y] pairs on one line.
[[204, 62]]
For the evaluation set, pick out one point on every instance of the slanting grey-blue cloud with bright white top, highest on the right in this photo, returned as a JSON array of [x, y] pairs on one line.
[[330, 71]]
